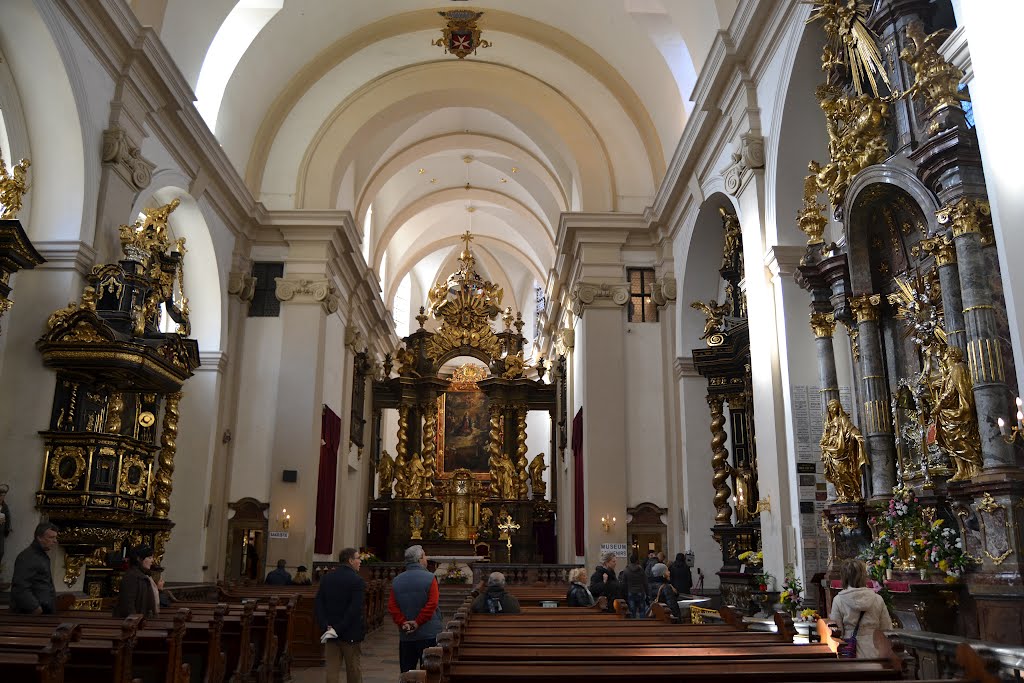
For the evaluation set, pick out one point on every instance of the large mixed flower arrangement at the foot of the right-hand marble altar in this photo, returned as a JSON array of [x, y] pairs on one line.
[[909, 536]]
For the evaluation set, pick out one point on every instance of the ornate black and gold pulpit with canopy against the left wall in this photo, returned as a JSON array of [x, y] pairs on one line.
[[121, 356]]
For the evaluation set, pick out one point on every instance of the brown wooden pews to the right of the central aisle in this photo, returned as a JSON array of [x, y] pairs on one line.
[[545, 646]]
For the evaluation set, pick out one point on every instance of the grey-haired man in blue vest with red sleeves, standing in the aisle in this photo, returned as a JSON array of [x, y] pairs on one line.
[[413, 606]]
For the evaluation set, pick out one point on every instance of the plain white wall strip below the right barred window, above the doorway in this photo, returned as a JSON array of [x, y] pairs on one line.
[[646, 386]]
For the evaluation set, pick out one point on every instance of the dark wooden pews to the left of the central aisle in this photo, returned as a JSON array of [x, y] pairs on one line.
[[193, 643]]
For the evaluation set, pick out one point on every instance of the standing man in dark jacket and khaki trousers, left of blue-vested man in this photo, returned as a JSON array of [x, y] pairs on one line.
[[339, 612]]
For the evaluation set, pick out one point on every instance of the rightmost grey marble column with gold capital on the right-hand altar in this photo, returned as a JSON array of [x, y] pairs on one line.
[[992, 396]]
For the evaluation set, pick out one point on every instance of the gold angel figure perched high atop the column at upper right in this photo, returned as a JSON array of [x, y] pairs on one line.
[[935, 80]]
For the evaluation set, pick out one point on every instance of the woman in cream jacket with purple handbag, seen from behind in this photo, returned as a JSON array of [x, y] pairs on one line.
[[860, 612]]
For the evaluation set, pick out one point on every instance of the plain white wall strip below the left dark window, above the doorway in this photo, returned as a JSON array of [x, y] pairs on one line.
[[258, 392]]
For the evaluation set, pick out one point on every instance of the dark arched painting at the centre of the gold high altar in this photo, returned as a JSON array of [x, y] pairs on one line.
[[462, 441]]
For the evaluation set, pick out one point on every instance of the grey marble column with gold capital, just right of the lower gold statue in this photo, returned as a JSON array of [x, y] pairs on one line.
[[877, 425]]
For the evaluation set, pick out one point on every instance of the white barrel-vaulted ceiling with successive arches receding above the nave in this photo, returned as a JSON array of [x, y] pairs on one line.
[[347, 105]]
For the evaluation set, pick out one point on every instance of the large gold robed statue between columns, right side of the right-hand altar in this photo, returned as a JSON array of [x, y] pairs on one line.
[[956, 419]]
